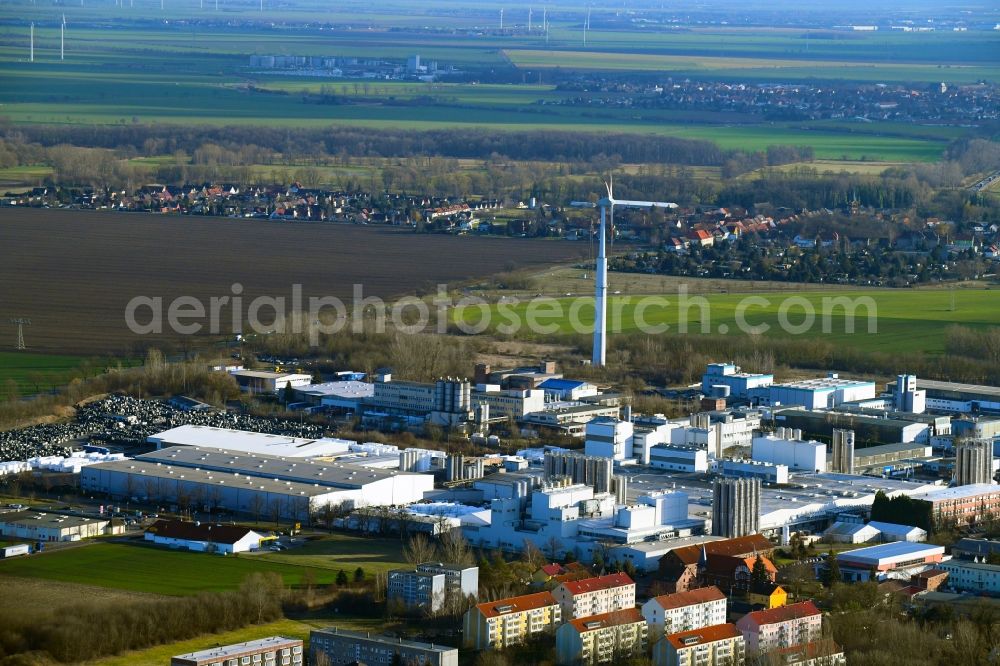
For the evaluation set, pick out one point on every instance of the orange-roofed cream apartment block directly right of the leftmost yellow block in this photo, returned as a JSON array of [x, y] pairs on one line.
[[602, 639]]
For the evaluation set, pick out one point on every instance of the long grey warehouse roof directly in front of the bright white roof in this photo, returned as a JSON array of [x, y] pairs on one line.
[[336, 475]]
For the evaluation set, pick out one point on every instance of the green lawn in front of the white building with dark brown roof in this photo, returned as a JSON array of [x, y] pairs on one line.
[[148, 569]]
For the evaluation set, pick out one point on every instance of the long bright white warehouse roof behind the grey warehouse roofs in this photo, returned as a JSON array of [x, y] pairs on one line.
[[249, 442]]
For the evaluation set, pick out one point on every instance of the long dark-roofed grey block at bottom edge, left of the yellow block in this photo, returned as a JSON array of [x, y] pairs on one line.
[[337, 646]]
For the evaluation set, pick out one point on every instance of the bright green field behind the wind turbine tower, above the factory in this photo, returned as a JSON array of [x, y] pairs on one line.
[[905, 320]]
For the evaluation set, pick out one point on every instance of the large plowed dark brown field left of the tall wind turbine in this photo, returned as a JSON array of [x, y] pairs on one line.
[[73, 272]]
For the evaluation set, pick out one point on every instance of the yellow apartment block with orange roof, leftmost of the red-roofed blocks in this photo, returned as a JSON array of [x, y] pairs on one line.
[[497, 624]]
